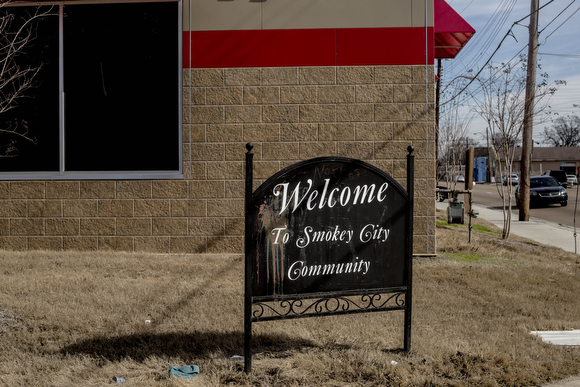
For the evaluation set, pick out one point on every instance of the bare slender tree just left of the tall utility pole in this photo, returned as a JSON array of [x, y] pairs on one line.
[[500, 102]]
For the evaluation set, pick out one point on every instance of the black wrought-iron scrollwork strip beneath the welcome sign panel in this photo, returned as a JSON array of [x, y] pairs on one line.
[[328, 305]]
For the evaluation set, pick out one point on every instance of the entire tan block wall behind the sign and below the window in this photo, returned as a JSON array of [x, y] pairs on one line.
[[289, 114]]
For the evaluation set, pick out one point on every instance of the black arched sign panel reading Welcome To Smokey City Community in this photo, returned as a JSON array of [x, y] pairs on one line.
[[328, 225]]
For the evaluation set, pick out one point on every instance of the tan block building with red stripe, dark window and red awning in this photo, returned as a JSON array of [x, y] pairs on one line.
[[136, 131]]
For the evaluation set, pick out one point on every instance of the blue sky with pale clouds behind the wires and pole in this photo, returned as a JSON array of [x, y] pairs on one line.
[[558, 53]]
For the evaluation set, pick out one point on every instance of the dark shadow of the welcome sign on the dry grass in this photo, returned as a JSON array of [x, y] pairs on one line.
[[140, 347]]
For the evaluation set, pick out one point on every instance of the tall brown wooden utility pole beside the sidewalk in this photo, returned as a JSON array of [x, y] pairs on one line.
[[529, 114]]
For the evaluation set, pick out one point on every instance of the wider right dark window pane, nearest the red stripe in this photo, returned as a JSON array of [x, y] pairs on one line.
[[121, 87]]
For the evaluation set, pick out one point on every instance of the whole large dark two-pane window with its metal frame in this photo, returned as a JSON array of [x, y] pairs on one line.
[[106, 100]]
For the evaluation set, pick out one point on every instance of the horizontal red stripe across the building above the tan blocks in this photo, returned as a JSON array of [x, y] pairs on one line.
[[307, 47]]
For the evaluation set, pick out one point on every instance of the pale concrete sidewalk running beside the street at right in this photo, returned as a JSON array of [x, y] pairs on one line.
[[538, 230]]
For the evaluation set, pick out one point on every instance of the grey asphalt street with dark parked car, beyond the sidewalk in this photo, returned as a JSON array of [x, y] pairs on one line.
[[487, 195]]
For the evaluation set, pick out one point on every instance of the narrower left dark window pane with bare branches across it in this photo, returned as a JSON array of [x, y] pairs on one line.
[[29, 130]]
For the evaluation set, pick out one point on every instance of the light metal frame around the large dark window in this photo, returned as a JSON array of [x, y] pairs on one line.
[[62, 174]]
